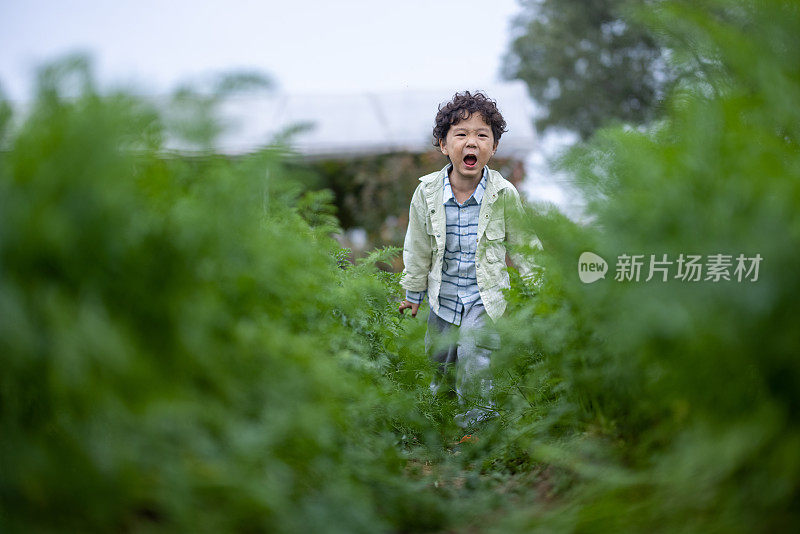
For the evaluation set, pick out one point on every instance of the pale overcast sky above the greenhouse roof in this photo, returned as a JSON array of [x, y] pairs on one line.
[[307, 46]]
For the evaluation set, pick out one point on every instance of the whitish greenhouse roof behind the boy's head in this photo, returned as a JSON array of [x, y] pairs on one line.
[[367, 123]]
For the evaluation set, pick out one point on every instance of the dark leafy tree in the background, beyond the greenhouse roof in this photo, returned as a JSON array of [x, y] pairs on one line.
[[587, 63]]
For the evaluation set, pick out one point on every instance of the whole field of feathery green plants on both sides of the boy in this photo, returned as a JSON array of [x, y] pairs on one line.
[[184, 347]]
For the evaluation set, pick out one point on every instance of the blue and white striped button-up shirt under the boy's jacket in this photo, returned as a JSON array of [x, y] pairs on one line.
[[459, 281]]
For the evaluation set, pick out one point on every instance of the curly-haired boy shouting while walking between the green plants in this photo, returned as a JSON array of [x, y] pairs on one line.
[[460, 220]]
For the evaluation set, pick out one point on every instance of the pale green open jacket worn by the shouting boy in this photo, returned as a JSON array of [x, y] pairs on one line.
[[423, 250]]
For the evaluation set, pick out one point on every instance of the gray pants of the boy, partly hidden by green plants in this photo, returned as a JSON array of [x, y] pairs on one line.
[[463, 354]]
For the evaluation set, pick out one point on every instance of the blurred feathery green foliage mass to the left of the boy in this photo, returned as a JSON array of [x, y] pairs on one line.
[[182, 348]]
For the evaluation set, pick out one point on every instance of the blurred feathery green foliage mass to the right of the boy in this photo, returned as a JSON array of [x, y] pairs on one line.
[[673, 405]]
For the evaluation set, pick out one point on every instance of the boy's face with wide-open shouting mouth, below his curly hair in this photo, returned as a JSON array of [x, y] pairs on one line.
[[470, 145]]
